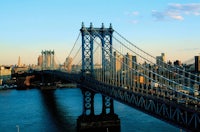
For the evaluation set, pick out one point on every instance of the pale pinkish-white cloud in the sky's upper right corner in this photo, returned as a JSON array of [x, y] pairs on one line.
[[177, 11]]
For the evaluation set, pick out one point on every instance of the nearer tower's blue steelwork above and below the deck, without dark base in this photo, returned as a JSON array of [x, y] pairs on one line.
[[88, 36]]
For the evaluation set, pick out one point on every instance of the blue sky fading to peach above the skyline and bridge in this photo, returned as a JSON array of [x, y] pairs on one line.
[[29, 26]]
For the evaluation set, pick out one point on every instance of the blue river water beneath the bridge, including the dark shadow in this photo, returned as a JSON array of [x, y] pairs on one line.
[[56, 111]]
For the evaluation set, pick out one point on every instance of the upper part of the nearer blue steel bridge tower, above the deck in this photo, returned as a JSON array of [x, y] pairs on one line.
[[88, 36]]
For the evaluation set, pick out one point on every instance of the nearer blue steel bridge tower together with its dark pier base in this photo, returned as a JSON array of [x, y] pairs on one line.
[[107, 116]]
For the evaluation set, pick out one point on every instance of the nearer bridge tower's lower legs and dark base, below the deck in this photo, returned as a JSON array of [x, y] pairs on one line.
[[107, 121]]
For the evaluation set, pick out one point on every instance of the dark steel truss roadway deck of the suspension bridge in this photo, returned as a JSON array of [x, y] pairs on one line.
[[166, 108]]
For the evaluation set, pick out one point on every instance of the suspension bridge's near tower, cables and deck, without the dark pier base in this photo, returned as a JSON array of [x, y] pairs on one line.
[[108, 63]]
